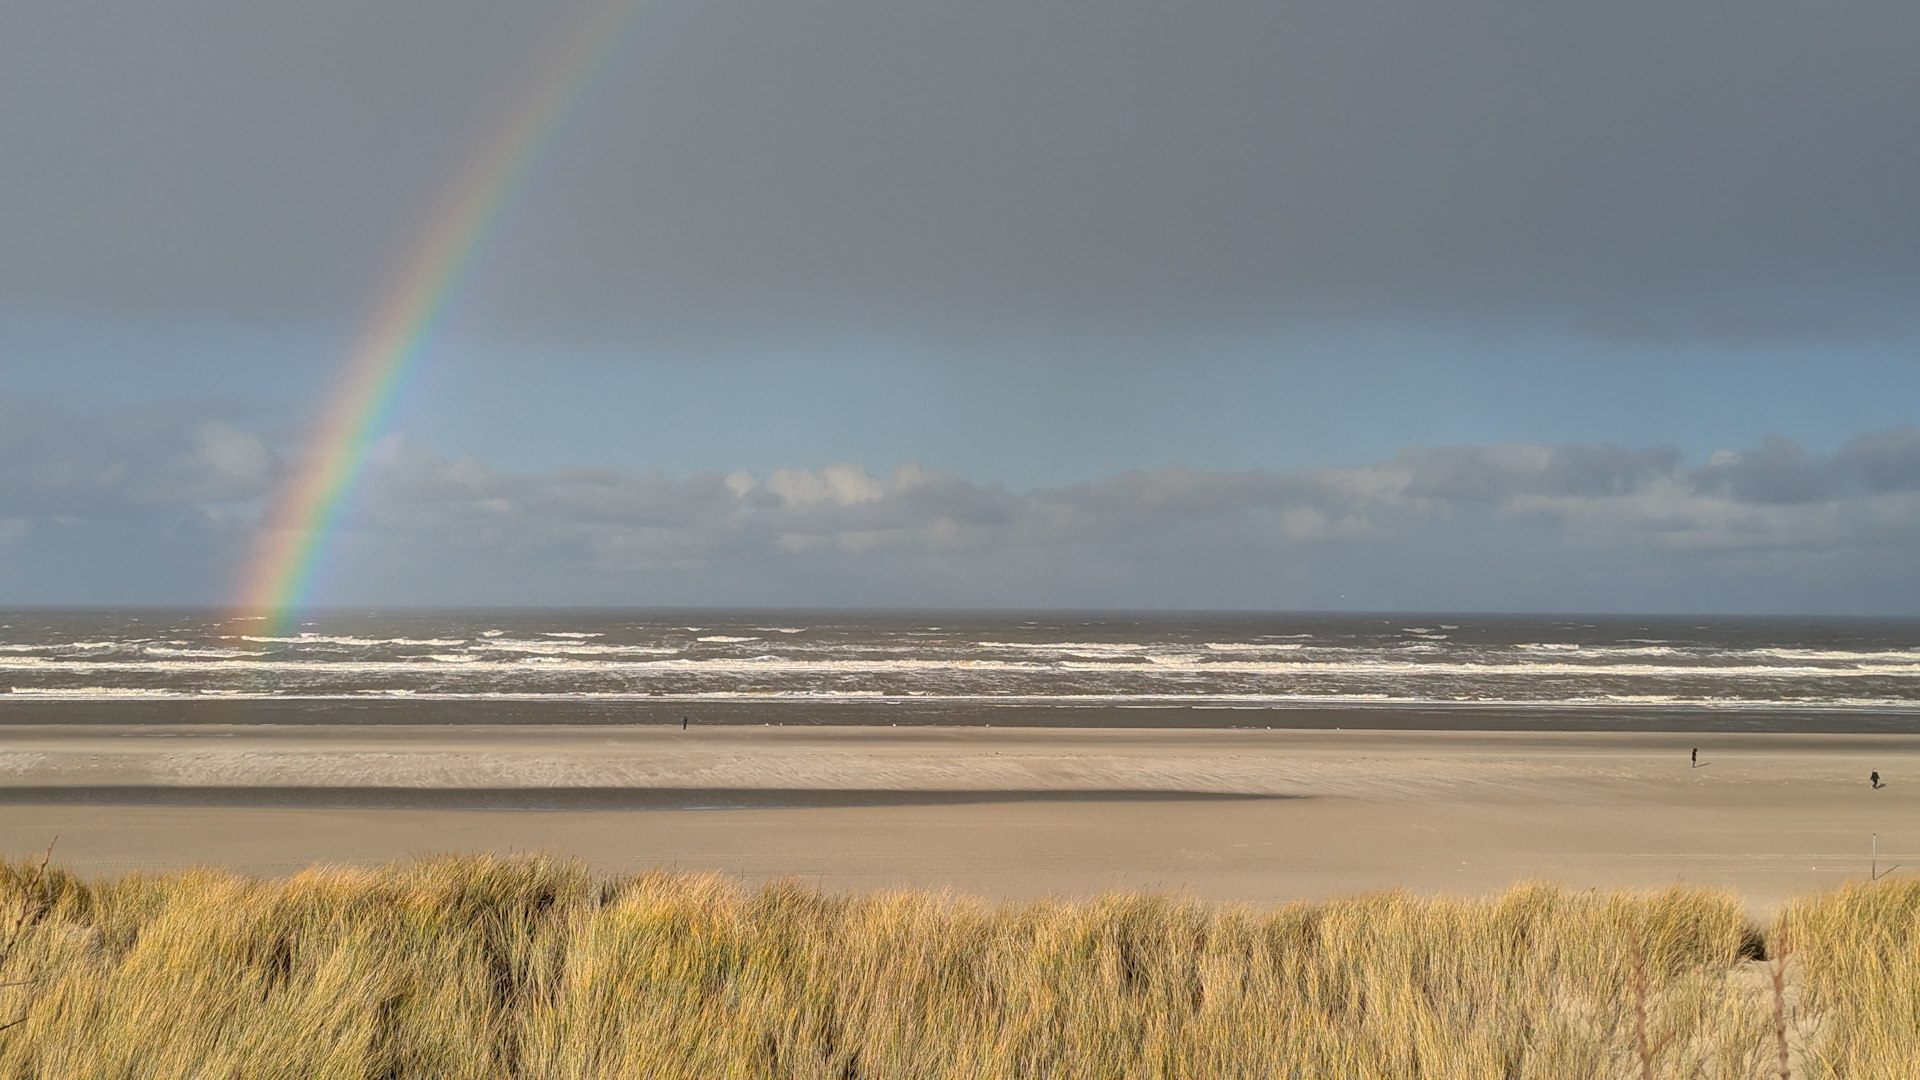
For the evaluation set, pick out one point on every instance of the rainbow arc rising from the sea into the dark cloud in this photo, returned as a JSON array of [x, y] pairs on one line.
[[304, 518]]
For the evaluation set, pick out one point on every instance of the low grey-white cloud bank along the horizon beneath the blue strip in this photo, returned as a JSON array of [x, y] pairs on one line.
[[162, 508]]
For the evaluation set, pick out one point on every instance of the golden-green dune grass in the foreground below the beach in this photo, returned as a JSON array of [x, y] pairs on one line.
[[535, 968]]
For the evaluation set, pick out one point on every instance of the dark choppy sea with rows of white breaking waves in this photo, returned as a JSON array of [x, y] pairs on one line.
[[965, 668]]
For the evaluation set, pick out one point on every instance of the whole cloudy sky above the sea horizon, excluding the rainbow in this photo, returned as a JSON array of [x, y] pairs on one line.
[[888, 303]]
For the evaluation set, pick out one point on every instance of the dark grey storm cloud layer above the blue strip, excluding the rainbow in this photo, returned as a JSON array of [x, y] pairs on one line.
[[1735, 168]]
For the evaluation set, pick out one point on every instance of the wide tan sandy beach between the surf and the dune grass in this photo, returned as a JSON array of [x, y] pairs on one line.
[[1255, 816]]
